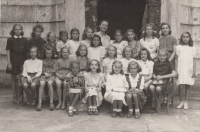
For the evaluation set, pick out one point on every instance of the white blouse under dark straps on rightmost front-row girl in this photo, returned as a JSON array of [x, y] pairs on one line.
[[135, 80]]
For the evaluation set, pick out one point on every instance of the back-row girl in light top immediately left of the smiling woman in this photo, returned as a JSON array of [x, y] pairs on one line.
[[87, 36]]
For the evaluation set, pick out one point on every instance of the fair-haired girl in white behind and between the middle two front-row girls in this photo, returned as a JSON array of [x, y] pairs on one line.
[[110, 58]]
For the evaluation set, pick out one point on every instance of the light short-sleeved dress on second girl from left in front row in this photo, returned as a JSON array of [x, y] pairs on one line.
[[93, 82]]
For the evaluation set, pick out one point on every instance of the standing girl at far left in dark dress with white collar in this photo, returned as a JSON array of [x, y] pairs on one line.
[[16, 55]]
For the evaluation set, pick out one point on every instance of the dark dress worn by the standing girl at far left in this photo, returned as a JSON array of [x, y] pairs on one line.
[[18, 50]]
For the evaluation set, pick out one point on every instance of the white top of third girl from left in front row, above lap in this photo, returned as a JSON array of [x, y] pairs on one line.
[[116, 81]]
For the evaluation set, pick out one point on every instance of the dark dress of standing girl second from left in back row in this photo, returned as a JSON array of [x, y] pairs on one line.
[[39, 43]]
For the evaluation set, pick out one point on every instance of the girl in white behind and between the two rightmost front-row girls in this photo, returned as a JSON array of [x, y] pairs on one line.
[[127, 54]]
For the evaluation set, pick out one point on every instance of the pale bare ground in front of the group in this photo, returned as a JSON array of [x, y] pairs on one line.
[[27, 119]]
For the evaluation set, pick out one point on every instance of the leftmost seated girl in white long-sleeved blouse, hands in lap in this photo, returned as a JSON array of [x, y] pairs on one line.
[[32, 70]]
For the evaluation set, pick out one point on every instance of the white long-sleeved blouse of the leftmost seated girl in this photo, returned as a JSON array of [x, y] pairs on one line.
[[32, 66]]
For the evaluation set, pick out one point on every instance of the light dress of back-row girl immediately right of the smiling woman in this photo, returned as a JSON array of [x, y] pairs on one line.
[[120, 47]]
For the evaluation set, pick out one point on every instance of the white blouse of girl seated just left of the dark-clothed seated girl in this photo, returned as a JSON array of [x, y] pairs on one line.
[[147, 67]]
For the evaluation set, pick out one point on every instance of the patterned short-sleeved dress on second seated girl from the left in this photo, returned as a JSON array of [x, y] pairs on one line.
[[48, 67]]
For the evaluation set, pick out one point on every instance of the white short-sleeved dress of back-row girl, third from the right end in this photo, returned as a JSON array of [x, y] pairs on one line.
[[151, 46]]
